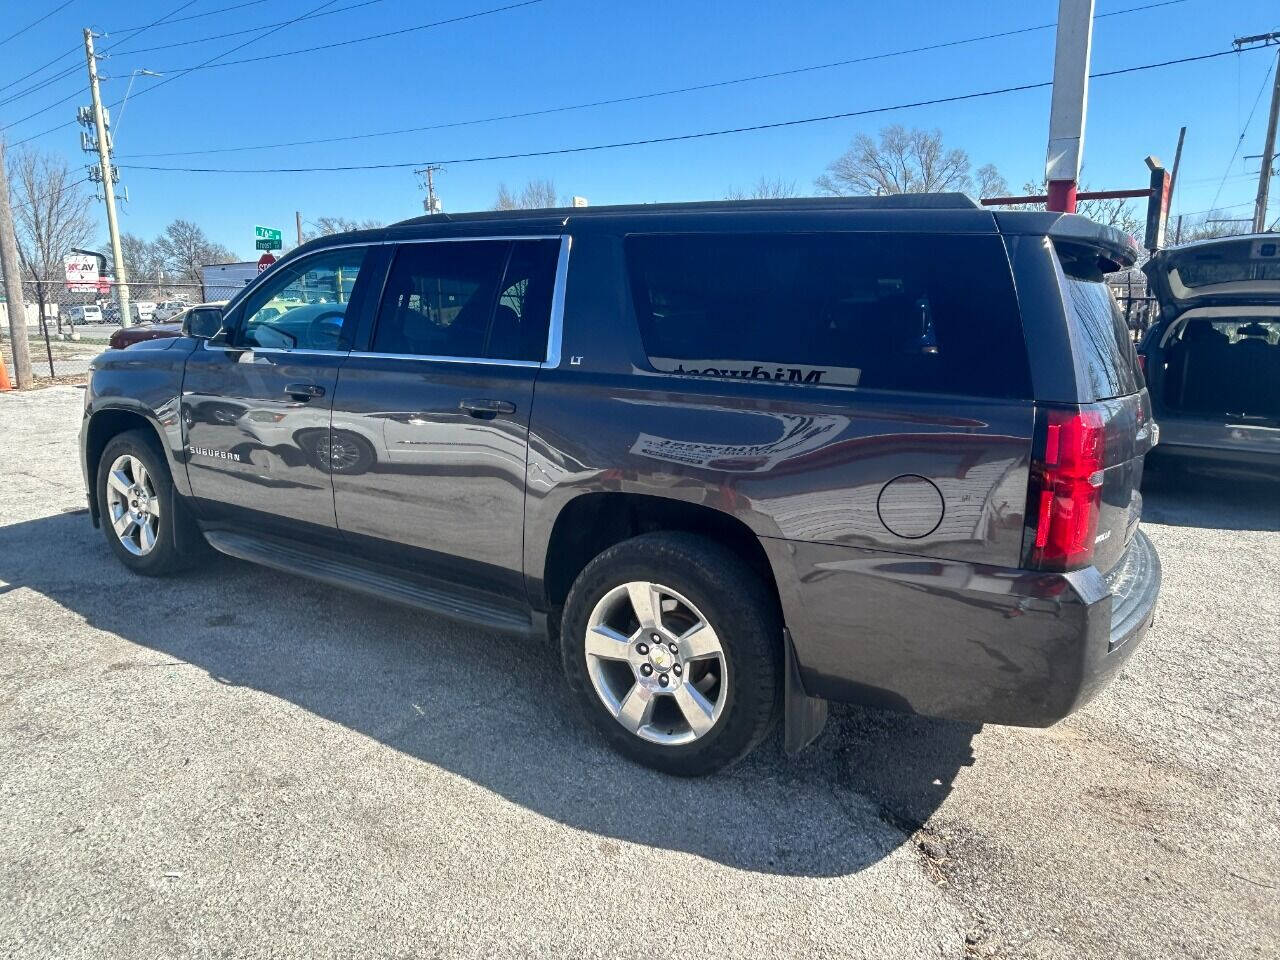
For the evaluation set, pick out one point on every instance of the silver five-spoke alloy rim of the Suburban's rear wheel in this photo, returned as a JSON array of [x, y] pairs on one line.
[[656, 664]]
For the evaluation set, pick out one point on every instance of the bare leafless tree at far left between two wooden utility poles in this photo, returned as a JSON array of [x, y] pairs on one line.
[[52, 216]]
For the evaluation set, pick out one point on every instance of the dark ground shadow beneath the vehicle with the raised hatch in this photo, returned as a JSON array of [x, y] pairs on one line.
[[1219, 501]]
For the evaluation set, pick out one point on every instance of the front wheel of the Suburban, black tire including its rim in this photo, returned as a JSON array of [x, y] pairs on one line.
[[156, 552]]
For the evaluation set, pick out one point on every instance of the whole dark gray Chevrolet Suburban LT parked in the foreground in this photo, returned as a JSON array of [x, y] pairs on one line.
[[734, 460]]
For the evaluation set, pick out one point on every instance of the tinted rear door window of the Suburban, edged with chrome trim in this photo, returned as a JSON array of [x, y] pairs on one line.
[[469, 299]]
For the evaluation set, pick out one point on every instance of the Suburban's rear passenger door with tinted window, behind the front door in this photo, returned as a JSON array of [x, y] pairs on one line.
[[431, 418]]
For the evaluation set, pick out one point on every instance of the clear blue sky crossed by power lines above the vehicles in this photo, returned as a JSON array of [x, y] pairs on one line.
[[559, 53]]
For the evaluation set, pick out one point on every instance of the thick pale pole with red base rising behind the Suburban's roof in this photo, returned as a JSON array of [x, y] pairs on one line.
[[1069, 104]]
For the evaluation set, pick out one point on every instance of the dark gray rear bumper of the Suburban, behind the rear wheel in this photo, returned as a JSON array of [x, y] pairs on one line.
[[962, 641]]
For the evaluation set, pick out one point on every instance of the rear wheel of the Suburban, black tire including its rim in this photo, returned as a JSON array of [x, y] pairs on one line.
[[698, 582]]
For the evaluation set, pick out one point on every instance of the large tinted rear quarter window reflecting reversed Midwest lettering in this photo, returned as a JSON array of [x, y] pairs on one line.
[[929, 314]]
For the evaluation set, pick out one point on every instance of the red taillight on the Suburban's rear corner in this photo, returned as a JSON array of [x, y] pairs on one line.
[[1067, 490]]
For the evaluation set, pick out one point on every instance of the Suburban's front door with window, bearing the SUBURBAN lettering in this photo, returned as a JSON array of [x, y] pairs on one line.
[[257, 403]]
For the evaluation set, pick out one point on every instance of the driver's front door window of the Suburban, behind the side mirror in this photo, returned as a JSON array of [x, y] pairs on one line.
[[305, 304]]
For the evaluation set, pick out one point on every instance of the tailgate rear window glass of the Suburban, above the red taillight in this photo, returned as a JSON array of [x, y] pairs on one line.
[[1099, 331]]
